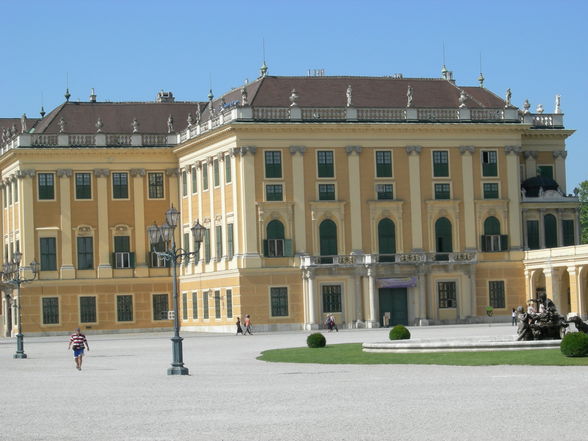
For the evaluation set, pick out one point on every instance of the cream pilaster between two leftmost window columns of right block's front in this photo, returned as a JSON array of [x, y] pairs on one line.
[[297, 153]]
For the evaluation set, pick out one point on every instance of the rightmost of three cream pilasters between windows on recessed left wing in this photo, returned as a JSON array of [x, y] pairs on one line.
[[141, 266]]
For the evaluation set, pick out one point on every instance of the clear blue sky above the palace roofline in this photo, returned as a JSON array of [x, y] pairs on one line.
[[129, 50]]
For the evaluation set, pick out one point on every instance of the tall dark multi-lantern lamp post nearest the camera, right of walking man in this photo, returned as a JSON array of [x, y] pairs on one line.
[[163, 235]]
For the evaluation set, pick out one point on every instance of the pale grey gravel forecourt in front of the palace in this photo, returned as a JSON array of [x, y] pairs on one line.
[[123, 393]]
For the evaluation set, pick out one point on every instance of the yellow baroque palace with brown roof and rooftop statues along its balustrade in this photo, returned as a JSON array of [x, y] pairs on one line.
[[380, 200]]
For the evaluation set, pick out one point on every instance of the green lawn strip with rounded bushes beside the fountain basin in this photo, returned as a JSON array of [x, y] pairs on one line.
[[351, 353]]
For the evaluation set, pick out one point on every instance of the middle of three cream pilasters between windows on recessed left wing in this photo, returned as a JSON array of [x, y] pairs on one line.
[[104, 266]]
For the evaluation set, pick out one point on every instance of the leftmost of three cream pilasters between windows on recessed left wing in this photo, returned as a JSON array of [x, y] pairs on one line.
[[67, 270]]
